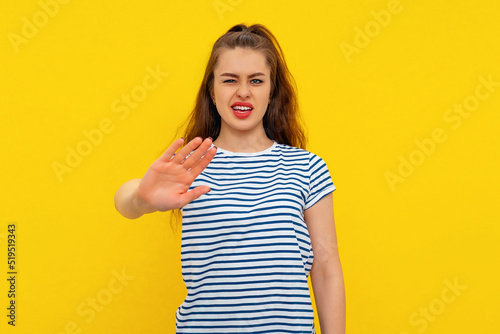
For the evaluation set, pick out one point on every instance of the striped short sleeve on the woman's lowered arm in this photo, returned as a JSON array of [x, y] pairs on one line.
[[320, 181]]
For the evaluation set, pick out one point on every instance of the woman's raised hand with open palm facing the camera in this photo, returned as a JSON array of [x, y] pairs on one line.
[[166, 183]]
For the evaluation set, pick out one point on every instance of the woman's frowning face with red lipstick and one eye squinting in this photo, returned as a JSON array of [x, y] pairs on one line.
[[242, 77]]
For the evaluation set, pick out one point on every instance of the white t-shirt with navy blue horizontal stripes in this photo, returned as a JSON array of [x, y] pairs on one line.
[[246, 252]]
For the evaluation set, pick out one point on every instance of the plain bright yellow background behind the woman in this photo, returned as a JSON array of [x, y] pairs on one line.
[[399, 244]]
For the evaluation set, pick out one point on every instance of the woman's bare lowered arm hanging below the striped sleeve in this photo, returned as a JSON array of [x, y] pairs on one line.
[[326, 273]]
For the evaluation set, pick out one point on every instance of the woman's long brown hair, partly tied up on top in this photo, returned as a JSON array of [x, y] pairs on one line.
[[282, 122]]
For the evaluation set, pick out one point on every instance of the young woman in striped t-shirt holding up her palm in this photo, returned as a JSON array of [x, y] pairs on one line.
[[255, 204]]
